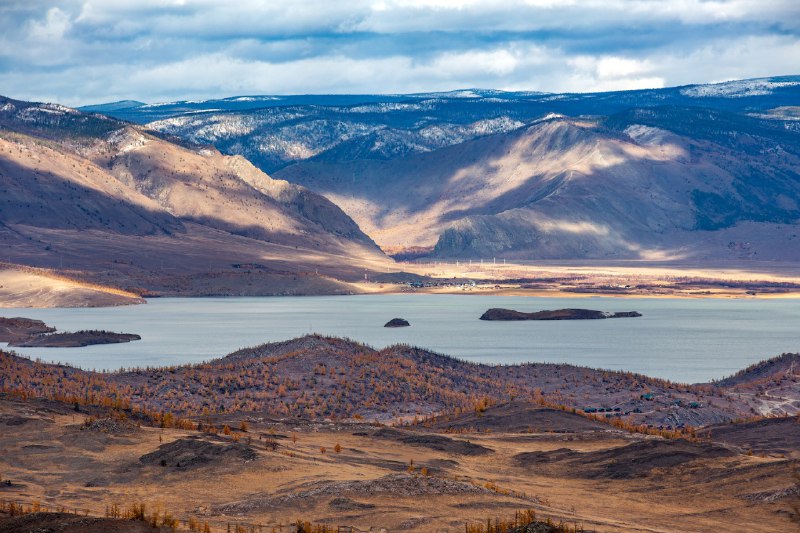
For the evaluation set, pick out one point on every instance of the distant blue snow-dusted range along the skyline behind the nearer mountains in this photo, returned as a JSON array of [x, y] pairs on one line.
[[276, 131]]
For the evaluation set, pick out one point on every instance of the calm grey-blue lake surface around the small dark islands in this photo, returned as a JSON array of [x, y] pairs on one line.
[[678, 339]]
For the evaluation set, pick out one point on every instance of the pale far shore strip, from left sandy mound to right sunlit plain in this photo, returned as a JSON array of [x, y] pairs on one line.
[[26, 287]]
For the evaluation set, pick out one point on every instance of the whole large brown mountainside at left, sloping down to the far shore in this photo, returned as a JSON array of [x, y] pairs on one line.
[[107, 202]]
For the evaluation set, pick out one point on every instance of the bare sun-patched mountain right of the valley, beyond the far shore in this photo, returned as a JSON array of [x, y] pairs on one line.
[[567, 188]]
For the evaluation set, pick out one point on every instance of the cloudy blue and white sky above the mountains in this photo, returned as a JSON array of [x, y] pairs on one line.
[[78, 52]]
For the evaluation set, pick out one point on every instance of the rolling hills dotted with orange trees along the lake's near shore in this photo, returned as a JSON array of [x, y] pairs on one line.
[[319, 377]]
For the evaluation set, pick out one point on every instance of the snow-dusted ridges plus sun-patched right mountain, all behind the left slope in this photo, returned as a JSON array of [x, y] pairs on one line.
[[701, 172]]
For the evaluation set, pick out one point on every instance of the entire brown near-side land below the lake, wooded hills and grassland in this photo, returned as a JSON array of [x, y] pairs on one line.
[[289, 431]]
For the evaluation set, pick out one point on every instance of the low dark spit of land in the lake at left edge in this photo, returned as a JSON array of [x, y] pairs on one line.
[[28, 333]]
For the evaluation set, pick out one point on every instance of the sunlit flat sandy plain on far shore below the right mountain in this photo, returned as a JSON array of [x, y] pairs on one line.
[[619, 279]]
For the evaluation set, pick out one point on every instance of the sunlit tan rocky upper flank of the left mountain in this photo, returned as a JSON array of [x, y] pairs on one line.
[[226, 193]]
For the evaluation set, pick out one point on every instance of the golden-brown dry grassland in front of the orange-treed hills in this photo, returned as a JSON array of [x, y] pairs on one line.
[[246, 471]]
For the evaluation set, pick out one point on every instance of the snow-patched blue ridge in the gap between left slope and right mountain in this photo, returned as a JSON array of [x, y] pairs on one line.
[[275, 137]]
